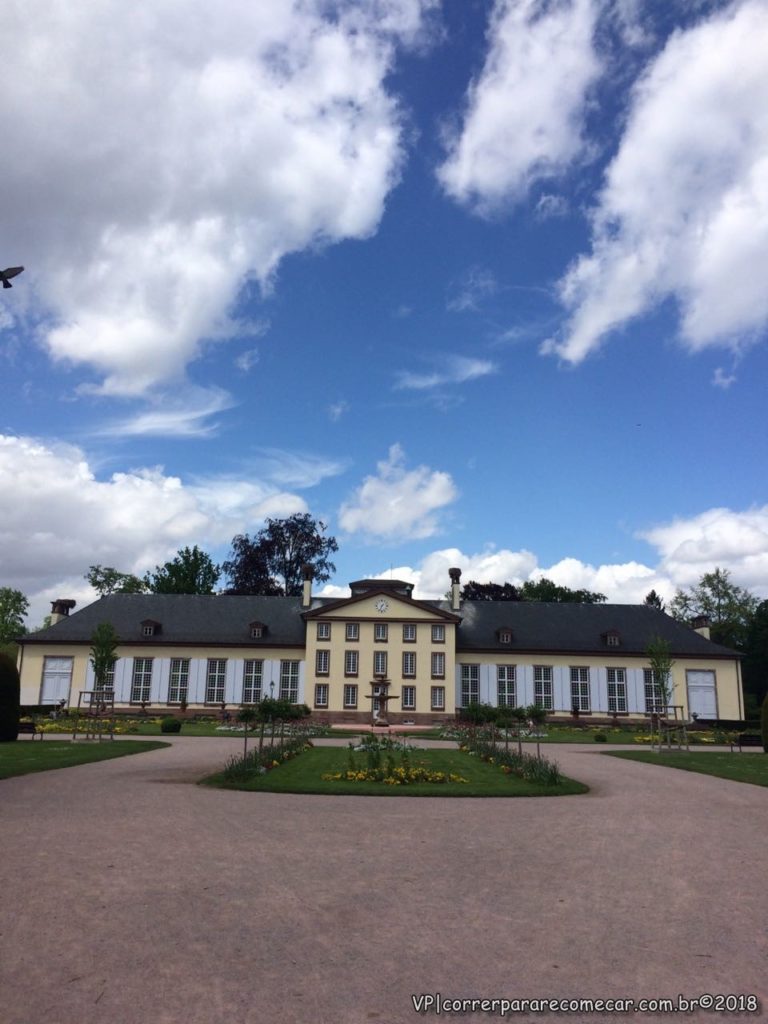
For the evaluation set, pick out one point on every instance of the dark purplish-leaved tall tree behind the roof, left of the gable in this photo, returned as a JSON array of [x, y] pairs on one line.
[[274, 561]]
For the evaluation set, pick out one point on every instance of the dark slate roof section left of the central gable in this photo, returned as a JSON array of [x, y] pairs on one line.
[[186, 619]]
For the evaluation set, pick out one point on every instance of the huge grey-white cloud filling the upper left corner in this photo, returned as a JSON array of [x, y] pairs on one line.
[[154, 163]]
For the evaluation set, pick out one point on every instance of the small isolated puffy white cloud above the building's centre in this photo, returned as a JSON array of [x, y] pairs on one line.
[[399, 503]]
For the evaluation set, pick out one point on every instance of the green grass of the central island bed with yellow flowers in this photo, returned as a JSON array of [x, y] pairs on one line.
[[304, 775]]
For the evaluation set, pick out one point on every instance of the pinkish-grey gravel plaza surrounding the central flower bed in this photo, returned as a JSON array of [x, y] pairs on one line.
[[134, 897]]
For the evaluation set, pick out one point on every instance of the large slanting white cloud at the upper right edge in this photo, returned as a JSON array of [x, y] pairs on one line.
[[685, 210]]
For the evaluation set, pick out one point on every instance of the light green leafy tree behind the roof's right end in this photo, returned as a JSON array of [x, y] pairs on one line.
[[729, 608]]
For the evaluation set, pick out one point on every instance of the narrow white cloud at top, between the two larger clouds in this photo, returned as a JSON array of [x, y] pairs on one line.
[[525, 117]]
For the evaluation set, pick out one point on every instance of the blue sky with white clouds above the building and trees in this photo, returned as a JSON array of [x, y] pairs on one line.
[[476, 283]]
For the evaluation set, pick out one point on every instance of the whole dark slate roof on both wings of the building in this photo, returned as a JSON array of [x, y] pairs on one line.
[[536, 626]]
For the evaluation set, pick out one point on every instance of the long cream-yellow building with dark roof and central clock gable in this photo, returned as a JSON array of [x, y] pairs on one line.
[[380, 654]]
